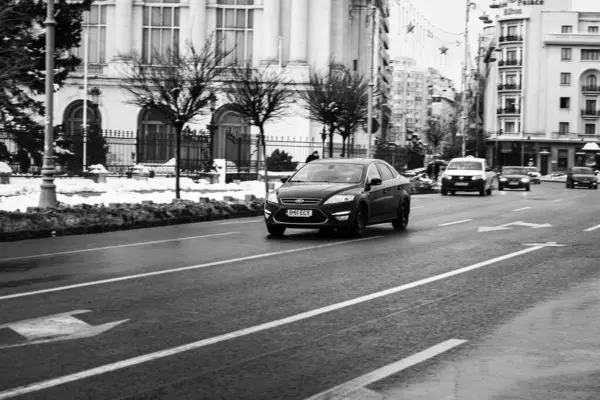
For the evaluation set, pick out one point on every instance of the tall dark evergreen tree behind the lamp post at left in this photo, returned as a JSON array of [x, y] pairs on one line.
[[22, 61]]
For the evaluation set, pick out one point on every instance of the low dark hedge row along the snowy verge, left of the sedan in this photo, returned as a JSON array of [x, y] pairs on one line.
[[80, 219]]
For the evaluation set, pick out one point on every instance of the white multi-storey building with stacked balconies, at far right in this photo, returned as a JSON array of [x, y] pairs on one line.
[[542, 94]]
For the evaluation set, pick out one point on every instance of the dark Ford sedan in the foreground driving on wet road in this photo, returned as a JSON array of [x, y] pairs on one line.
[[346, 194]]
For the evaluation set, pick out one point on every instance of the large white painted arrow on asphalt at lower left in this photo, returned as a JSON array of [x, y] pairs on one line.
[[55, 328]]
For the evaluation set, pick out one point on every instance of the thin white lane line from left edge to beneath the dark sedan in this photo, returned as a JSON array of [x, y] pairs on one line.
[[191, 267]]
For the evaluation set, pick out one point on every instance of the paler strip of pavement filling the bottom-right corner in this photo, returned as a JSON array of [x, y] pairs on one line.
[[551, 352]]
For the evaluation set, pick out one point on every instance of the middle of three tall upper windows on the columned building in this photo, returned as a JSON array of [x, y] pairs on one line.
[[160, 29]]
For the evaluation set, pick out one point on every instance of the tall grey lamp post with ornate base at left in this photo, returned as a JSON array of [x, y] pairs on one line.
[[48, 188]]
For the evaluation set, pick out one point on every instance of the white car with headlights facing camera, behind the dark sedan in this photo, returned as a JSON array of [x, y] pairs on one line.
[[468, 174]]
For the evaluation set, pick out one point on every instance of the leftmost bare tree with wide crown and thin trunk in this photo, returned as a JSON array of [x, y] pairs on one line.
[[179, 85]]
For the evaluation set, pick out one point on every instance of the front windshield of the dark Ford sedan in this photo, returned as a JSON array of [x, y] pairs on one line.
[[329, 172]]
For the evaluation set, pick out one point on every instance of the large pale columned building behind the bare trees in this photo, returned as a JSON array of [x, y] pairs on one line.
[[299, 35]]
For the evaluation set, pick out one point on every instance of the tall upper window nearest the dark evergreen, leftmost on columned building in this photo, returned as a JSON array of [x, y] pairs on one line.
[[94, 21]]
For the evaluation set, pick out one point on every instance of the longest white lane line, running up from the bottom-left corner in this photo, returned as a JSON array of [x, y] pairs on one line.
[[34, 387]]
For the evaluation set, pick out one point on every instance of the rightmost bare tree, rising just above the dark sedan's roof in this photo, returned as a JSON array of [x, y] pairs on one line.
[[355, 106]]
